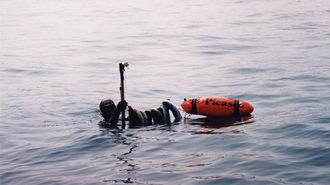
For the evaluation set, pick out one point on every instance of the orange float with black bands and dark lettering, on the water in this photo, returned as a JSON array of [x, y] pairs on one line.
[[216, 106]]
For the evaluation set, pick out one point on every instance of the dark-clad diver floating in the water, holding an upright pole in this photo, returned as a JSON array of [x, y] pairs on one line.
[[137, 118]]
